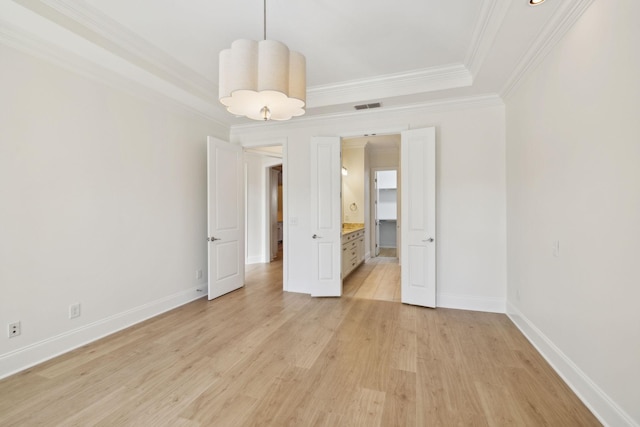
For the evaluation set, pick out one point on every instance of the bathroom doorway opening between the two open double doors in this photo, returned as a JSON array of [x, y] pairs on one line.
[[370, 198]]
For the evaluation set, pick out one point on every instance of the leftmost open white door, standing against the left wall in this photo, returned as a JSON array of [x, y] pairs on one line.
[[225, 205]]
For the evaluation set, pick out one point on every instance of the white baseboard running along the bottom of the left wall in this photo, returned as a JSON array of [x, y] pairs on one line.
[[26, 357]]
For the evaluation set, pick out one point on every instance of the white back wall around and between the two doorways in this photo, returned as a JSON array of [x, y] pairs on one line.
[[471, 256]]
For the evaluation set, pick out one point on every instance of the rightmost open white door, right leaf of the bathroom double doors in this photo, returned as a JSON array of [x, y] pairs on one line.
[[418, 213]]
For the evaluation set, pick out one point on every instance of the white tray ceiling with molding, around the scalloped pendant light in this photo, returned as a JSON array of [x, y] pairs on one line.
[[358, 51]]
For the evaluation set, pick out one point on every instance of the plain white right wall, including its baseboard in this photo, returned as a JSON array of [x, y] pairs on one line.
[[573, 156]]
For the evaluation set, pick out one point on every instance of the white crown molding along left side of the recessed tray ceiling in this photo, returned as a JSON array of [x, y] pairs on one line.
[[88, 22]]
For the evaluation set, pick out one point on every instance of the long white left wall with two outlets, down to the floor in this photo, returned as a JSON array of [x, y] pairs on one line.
[[102, 203]]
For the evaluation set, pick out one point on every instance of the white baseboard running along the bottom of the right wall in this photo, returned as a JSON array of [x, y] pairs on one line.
[[600, 404]]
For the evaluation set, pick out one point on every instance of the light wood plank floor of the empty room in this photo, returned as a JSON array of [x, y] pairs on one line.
[[259, 356]]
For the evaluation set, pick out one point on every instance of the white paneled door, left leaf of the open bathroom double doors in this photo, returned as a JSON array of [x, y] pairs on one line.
[[326, 227]]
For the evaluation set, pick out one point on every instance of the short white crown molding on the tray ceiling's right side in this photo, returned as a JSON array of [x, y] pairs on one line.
[[487, 27]]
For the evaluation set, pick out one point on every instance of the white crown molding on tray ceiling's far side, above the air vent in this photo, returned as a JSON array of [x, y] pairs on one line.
[[390, 85]]
